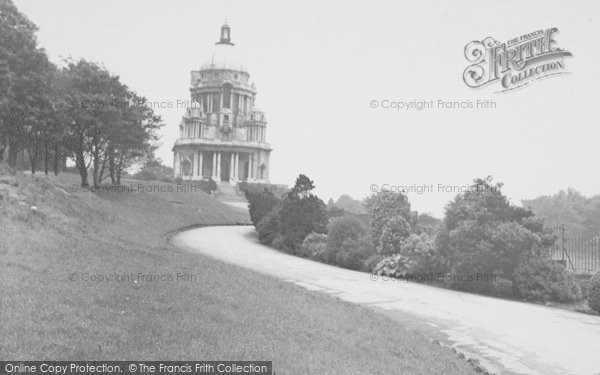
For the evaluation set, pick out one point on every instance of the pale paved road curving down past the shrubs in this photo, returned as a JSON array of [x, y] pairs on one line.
[[506, 336]]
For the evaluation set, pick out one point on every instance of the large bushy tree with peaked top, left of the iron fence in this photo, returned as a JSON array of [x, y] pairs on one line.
[[483, 233]]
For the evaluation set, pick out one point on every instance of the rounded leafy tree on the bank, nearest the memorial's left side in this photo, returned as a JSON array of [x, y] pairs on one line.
[[107, 123]]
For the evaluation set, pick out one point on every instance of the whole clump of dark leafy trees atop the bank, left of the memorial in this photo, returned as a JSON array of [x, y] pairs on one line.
[[82, 111]]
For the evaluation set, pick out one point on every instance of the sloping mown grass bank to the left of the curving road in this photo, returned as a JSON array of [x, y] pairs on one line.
[[50, 231]]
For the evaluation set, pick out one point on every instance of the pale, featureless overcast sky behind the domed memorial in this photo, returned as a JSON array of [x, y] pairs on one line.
[[318, 64]]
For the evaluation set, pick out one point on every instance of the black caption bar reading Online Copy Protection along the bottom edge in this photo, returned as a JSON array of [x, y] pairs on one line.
[[136, 367]]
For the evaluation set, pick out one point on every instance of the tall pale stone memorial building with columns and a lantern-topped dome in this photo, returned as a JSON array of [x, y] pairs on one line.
[[222, 134]]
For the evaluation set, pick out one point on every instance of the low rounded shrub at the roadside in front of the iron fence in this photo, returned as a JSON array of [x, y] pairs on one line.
[[541, 279]]
